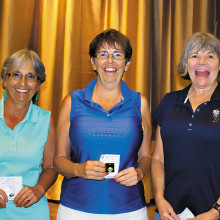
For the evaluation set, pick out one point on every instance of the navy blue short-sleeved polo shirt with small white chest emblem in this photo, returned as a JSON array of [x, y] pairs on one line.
[[191, 144]]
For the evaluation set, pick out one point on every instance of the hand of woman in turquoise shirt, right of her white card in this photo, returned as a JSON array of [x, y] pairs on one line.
[[28, 196]]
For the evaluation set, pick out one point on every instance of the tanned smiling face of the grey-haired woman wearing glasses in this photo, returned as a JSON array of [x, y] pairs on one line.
[[21, 90]]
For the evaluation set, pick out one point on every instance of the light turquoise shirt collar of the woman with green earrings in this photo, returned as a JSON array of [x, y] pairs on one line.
[[32, 113]]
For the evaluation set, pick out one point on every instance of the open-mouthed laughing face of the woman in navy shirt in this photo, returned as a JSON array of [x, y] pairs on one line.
[[203, 68]]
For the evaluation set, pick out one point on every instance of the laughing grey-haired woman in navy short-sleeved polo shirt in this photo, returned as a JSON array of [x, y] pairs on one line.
[[185, 162]]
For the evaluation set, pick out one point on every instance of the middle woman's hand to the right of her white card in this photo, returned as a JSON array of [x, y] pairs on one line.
[[128, 177]]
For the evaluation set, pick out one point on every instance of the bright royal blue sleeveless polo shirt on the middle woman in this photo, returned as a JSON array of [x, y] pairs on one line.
[[93, 132]]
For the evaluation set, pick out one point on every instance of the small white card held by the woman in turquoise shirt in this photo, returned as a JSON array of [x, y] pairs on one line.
[[11, 185]]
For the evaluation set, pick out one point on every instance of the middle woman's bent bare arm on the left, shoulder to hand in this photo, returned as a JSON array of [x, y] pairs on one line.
[[90, 169]]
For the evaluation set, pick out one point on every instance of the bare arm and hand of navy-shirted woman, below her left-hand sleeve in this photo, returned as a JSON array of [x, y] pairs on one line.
[[157, 173]]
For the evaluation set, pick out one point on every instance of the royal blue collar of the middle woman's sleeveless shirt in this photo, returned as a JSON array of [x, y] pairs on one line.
[[90, 87]]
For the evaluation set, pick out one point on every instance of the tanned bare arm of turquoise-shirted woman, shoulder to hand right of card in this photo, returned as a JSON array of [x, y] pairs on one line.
[[30, 195]]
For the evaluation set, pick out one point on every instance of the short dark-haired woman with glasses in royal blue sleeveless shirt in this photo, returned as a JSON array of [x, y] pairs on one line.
[[103, 140]]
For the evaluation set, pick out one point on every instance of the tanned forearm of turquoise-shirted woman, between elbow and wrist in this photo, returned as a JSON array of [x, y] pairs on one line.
[[47, 179]]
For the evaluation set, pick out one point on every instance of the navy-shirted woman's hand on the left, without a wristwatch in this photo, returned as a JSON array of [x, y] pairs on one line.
[[166, 211]]
